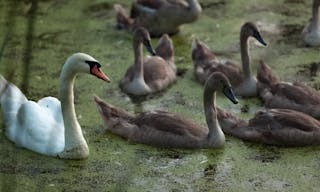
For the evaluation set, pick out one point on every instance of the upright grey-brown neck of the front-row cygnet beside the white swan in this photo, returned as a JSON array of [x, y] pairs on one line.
[[215, 135]]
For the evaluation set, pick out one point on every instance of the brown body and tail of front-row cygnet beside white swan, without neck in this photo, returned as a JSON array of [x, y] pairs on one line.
[[155, 128]]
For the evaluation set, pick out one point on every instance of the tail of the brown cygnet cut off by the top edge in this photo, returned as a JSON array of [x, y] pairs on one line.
[[123, 19]]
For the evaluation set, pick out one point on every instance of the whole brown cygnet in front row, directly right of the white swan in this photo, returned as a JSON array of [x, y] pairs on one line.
[[160, 128]]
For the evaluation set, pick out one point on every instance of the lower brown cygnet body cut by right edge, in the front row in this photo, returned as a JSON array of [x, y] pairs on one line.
[[280, 127]]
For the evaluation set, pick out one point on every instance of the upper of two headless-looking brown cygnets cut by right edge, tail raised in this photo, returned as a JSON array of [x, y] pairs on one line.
[[278, 94]]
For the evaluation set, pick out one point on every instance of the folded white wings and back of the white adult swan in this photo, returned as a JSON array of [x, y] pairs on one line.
[[39, 127]]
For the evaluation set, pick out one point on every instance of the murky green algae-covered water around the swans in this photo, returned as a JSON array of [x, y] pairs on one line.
[[35, 41]]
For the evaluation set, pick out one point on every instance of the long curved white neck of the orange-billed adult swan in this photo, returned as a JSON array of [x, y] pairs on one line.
[[73, 133]]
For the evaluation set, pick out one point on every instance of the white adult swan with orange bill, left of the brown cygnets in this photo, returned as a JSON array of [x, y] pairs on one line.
[[48, 126]]
